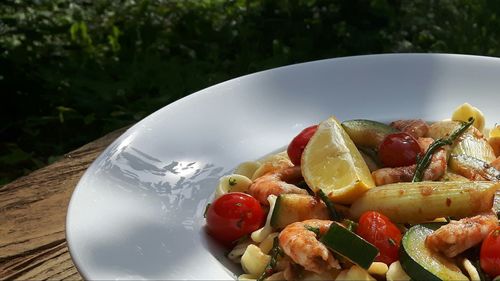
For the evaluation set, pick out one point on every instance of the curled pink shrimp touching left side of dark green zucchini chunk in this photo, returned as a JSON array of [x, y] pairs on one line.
[[298, 240]]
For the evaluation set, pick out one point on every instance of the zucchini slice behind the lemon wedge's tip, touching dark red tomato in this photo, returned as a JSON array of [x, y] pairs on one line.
[[367, 133]]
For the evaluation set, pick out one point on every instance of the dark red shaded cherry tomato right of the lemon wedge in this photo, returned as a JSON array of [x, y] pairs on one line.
[[399, 149]]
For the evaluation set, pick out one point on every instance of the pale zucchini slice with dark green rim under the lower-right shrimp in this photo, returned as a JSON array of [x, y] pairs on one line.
[[420, 263]]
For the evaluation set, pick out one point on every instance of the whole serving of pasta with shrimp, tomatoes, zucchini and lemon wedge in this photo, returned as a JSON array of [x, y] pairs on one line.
[[365, 200]]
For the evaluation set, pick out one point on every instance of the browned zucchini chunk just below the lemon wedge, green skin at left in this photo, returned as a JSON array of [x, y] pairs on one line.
[[290, 208]]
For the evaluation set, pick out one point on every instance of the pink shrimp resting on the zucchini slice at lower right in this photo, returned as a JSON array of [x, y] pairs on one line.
[[457, 236]]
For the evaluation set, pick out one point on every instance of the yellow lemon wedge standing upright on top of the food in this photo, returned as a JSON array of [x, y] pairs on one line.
[[332, 163]]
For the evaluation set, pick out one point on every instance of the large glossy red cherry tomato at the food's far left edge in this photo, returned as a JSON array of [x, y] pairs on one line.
[[233, 215]]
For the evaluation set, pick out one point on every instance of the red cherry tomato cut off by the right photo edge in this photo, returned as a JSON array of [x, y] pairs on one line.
[[490, 253]]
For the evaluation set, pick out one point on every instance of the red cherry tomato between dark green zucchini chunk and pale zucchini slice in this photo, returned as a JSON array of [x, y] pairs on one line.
[[382, 233]]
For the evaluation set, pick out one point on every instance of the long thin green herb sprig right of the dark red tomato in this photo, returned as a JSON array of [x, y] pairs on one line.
[[425, 160]]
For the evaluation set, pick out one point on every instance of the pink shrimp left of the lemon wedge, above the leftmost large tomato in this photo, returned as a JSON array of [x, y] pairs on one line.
[[276, 183]]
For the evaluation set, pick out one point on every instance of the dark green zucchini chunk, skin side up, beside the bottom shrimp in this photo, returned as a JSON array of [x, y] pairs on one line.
[[351, 246]]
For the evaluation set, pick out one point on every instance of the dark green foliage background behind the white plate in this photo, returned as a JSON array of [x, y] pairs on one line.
[[70, 71]]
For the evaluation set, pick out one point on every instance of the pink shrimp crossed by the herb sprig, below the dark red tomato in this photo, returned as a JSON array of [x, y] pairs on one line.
[[435, 171]]
